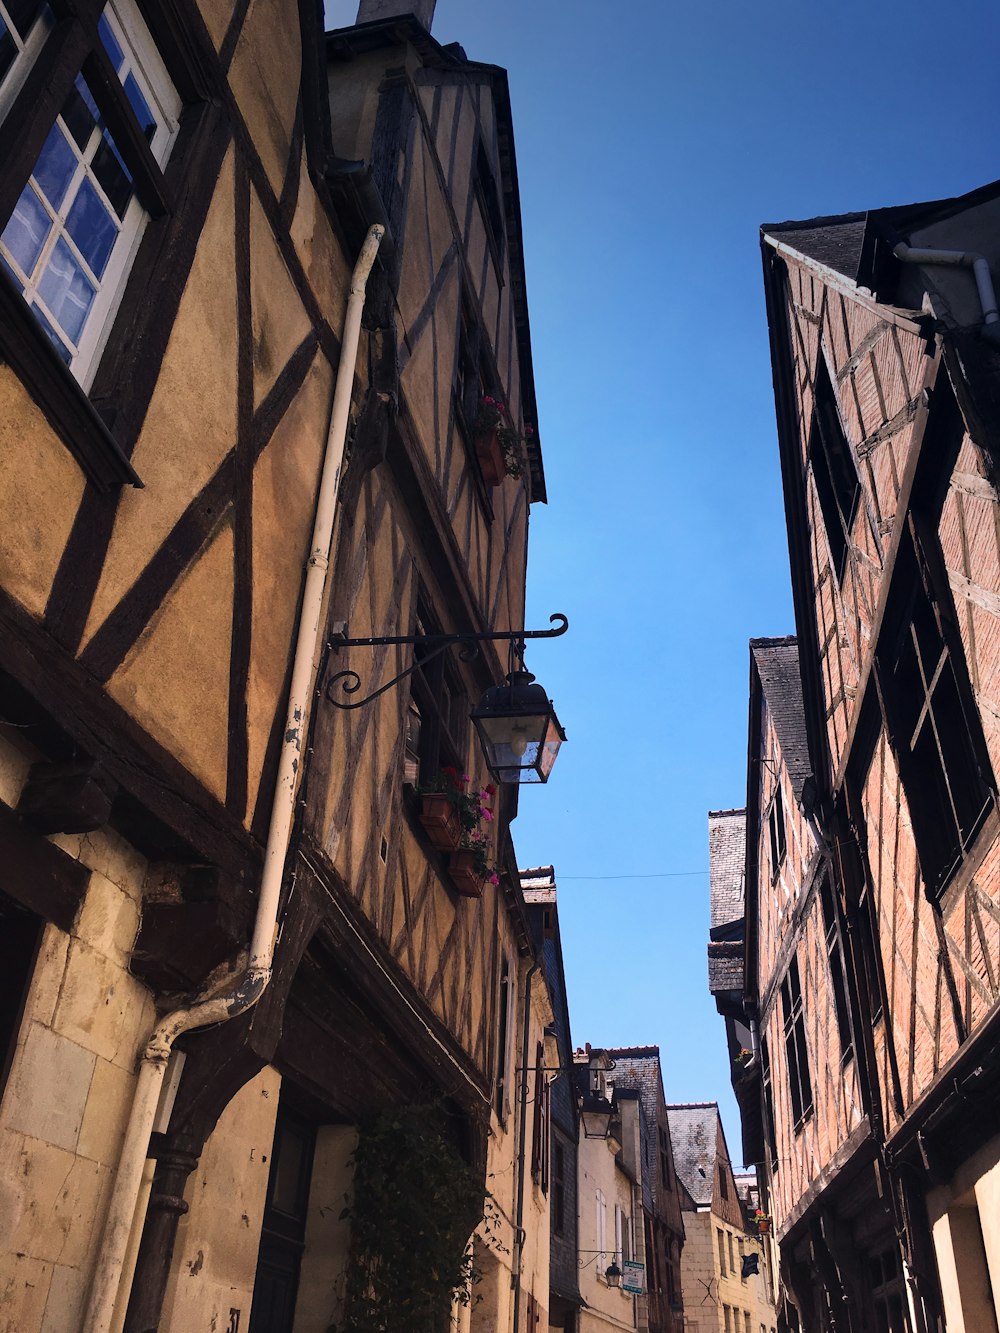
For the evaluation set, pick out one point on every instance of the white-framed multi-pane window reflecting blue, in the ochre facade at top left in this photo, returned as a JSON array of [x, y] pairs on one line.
[[77, 227]]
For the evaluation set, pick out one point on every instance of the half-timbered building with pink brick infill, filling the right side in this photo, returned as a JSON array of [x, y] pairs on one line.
[[873, 930]]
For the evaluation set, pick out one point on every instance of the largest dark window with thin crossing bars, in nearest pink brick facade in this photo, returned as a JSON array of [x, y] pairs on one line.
[[937, 735]]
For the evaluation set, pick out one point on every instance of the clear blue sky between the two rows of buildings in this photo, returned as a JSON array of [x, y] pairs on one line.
[[653, 142]]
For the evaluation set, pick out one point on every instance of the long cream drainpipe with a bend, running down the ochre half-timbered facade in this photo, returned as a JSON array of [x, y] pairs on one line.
[[245, 995]]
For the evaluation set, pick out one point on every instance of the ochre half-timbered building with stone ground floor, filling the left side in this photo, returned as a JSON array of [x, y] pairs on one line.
[[185, 194]]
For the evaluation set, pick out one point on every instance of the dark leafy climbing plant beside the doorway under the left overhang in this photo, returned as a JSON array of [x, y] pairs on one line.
[[415, 1206]]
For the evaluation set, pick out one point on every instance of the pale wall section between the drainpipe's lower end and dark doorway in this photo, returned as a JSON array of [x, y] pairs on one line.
[[215, 1258]]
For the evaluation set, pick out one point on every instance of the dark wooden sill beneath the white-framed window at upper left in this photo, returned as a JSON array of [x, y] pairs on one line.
[[58, 395]]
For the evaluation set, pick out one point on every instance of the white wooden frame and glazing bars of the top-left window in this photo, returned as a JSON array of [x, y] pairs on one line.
[[145, 63]]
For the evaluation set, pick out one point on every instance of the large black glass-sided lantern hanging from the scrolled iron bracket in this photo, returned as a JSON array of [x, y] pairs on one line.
[[519, 730]]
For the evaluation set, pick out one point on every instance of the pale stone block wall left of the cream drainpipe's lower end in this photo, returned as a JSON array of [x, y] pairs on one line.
[[67, 1098]]
